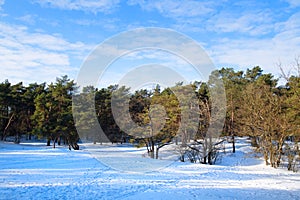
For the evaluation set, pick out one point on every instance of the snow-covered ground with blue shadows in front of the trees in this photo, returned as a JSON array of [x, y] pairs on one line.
[[34, 171]]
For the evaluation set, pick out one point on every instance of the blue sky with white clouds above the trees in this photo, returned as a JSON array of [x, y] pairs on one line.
[[44, 39]]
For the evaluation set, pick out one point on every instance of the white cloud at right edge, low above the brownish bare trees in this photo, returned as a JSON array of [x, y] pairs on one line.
[[267, 53]]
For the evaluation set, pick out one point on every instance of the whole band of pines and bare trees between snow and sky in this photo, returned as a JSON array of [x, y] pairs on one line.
[[256, 107]]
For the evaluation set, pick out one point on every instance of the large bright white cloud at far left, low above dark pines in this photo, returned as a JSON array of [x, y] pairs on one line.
[[36, 57]]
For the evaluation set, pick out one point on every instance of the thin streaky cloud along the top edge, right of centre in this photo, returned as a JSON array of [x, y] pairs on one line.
[[218, 16]]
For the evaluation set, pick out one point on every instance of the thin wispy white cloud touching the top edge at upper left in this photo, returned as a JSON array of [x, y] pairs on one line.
[[94, 6]]
